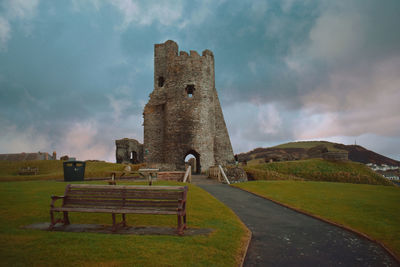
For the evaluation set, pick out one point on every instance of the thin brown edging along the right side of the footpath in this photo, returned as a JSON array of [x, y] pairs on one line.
[[395, 256]]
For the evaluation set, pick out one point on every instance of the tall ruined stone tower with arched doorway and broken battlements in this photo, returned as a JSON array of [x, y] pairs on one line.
[[183, 115]]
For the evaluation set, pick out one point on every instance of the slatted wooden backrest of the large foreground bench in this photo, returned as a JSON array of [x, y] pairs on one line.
[[127, 197]]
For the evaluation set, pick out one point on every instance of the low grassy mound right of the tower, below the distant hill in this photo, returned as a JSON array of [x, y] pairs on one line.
[[316, 170]]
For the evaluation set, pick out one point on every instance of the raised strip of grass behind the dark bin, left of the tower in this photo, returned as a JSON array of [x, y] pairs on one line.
[[53, 169]]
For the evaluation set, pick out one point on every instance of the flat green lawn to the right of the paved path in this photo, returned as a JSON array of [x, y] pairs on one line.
[[370, 209]]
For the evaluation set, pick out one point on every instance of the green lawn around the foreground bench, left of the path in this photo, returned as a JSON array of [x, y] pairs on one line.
[[23, 203]]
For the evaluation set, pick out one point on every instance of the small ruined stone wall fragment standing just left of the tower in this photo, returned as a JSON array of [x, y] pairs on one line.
[[129, 151]]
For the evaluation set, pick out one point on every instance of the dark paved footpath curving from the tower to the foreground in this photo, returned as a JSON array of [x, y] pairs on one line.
[[283, 237]]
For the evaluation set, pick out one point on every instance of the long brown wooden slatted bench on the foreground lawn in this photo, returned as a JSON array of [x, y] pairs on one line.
[[121, 199]]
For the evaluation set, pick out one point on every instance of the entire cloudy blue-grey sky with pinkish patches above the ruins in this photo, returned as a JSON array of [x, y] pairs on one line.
[[75, 75]]
